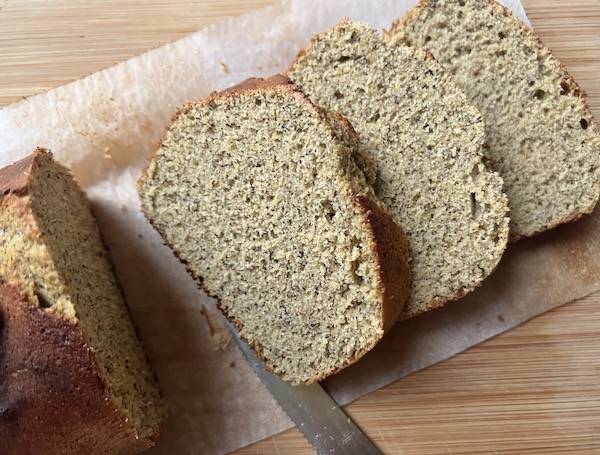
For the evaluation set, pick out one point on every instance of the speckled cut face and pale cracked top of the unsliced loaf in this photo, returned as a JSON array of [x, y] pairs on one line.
[[51, 248]]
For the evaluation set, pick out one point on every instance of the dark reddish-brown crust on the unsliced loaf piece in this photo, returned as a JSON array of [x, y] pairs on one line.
[[52, 398]]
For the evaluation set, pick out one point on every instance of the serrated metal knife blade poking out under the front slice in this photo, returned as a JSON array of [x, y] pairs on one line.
[[322, 422]]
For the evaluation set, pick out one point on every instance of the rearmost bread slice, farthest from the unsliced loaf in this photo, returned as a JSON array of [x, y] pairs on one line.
[[541, 135]]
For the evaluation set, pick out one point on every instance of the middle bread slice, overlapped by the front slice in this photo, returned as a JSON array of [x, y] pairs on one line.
[[426, 142]]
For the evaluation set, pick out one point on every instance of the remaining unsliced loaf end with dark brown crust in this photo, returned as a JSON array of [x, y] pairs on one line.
[[73, 376]]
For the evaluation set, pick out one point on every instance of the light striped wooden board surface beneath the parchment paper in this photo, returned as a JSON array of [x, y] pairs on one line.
[[534, 390]]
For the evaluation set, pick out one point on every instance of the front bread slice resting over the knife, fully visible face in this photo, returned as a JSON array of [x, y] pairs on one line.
[[257, 191]]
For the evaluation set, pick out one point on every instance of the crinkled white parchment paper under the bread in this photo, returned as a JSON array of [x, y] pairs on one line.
[[105, 126]]
